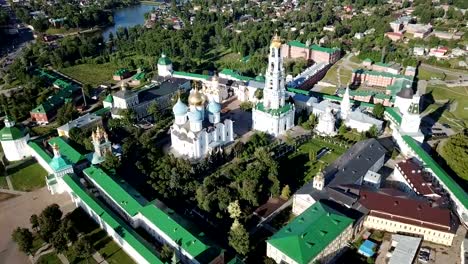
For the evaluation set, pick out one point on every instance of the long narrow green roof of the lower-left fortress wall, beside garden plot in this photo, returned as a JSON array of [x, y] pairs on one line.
[[106, 215]]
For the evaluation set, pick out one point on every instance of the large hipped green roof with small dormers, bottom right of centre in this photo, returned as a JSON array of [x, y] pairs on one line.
[[310, 233]]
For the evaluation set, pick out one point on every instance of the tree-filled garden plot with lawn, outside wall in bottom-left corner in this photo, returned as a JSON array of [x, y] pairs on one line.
[[74, 235]]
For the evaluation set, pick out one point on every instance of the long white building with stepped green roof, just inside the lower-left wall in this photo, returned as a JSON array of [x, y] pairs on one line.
[[161, 225]]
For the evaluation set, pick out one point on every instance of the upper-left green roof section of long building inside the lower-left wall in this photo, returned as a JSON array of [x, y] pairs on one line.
[[114, 190]]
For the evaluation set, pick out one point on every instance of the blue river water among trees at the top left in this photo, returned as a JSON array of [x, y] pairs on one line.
[[128, 17]]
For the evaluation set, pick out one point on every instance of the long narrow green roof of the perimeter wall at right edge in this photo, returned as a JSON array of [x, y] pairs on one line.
[[448, 181]]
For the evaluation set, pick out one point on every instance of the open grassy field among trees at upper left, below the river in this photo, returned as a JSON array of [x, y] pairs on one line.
[[94, 74]]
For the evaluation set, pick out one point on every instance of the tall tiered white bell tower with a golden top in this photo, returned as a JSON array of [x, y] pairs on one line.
[[274, 115]]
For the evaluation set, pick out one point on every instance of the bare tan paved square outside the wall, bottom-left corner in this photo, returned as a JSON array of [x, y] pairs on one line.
[[17, 211]]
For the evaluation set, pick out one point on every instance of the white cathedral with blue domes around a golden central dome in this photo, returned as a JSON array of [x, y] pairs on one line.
[[198, 129]]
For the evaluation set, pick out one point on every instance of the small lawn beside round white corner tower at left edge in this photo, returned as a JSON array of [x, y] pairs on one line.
[[29, 178]]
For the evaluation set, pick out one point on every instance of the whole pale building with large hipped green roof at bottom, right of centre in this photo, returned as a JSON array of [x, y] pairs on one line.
[[319, 234]]
